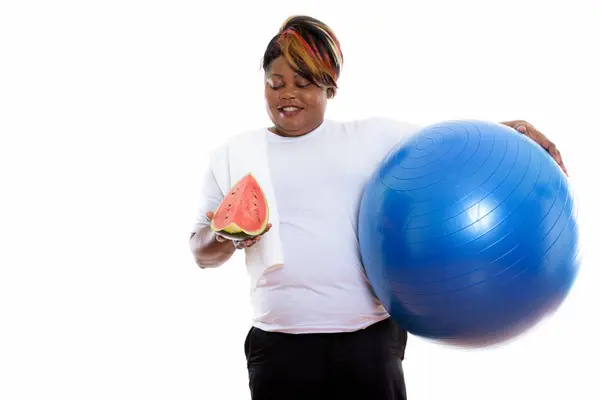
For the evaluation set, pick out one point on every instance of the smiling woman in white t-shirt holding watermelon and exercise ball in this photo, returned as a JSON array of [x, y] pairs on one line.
[[318, 331]]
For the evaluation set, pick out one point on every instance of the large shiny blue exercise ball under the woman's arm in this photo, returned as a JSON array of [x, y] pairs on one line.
[[468, 233]]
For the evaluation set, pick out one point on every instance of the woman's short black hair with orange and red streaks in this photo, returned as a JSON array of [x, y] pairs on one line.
[[311, 48]]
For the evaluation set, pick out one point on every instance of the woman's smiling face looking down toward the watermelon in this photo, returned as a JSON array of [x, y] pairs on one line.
[[295, 105]]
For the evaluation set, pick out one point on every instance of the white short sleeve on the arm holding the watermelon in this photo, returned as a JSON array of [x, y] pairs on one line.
[[211, 194]]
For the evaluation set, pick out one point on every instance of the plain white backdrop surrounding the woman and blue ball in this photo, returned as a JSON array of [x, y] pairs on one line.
[[107, 110]]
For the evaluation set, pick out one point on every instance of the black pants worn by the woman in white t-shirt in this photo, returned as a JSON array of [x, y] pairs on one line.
[[366, 364]]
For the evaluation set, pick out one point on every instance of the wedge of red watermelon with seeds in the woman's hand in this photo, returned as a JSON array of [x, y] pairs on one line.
[[244, 212]]
